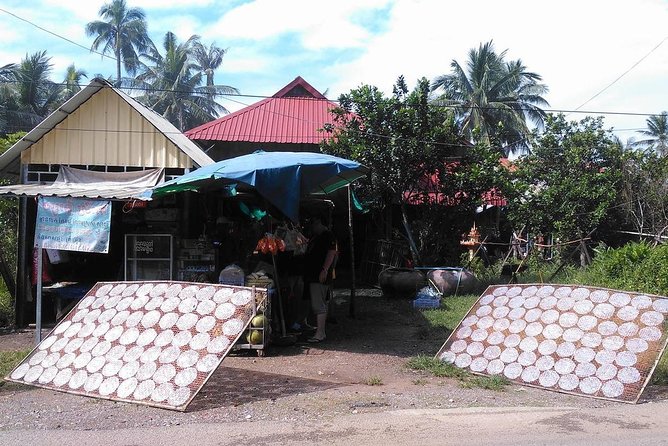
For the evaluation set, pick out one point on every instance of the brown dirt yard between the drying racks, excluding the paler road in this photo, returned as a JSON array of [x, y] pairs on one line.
[[299, 382]]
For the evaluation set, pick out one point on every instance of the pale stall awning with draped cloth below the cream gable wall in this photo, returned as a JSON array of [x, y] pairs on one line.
[[80, 183]]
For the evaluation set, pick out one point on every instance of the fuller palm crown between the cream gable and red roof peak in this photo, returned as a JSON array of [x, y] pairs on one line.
[[174, 88]]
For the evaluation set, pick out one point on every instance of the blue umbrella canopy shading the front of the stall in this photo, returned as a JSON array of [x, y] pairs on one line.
[[283, 178]]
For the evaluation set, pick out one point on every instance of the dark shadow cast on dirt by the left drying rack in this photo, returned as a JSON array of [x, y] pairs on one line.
[[230, 386]]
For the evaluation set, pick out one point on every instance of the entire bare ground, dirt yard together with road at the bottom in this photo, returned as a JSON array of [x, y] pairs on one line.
[[322, 394]]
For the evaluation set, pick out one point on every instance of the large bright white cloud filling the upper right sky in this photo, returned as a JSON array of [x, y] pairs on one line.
[[578, 47]]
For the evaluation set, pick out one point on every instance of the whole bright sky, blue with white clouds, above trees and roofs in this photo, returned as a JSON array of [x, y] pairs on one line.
[[614, 51]]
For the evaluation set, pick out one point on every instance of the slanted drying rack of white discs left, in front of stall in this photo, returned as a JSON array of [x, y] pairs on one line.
[[153, 343]]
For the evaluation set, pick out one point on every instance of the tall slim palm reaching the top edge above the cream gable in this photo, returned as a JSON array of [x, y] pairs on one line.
[[122, 32]]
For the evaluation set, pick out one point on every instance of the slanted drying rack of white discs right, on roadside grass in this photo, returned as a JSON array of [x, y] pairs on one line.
[[580, 340]]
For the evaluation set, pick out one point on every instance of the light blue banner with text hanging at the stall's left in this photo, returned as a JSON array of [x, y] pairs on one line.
[[73, 224]]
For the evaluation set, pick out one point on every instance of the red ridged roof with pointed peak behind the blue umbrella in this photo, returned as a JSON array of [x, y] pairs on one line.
[[295, 114]]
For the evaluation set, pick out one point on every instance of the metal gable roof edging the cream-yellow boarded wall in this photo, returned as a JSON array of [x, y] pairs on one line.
[[10, 160]]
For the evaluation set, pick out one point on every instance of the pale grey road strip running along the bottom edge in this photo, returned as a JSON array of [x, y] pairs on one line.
[[623, 424]]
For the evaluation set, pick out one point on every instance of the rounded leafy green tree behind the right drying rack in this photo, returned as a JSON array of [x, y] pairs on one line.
[[569, 183]]
